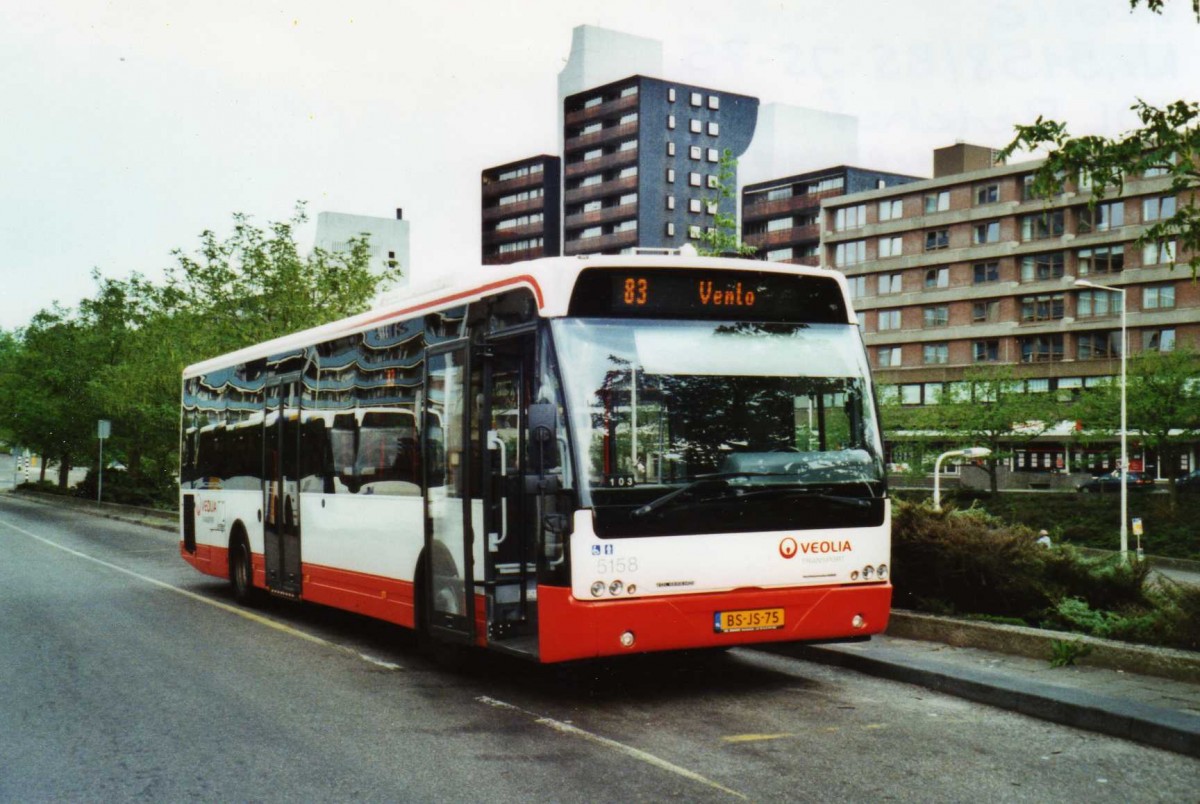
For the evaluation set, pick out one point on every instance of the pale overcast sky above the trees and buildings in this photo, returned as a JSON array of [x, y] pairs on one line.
[[128, 129]]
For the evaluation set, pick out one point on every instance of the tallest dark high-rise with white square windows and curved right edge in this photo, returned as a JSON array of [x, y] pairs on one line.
[[641, 163]]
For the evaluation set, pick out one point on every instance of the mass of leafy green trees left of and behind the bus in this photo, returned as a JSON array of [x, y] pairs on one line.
[[119, 356]]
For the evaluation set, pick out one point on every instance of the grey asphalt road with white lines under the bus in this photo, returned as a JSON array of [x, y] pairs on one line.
[[129, 676]]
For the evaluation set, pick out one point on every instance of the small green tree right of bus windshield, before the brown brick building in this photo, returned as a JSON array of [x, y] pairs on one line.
[[989, 409]]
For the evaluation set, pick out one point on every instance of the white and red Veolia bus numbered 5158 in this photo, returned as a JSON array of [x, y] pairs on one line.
[[565, 459]]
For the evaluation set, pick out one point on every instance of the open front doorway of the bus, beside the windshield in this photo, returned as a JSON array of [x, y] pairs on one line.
[[506, 371]]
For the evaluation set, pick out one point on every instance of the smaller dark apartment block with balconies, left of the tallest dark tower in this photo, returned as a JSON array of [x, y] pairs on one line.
[[523, 211]]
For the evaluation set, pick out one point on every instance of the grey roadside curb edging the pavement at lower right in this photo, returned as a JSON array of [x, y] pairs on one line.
[[1139, 723]]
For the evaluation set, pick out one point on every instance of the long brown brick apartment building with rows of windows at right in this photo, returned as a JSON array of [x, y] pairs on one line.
[[970, 269]]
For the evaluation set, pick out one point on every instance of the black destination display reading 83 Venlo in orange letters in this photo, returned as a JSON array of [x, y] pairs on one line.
[[721, 296]]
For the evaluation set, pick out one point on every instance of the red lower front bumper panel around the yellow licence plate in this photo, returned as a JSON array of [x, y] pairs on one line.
[[577, 629]]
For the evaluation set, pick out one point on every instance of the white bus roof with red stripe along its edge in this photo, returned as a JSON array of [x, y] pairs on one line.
[[551, 281]]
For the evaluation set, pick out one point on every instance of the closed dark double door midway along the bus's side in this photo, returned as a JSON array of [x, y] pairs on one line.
[[281, 487]]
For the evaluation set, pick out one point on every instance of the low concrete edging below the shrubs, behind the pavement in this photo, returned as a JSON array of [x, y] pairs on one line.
[[1037, 644]]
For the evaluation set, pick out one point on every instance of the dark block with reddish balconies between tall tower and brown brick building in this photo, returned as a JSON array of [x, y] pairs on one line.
[[782, 218]]
